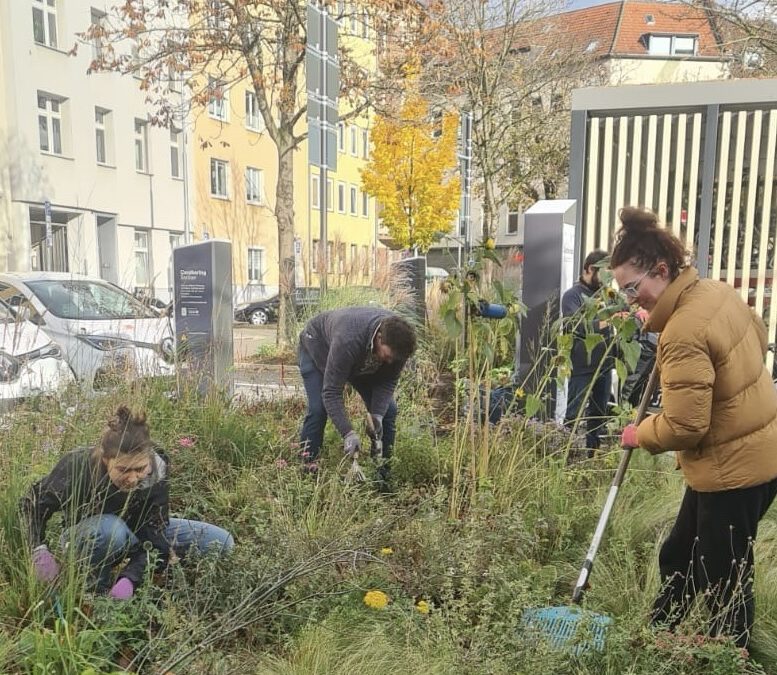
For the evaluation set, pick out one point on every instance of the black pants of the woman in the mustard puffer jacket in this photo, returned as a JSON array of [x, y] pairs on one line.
[[710, 551]]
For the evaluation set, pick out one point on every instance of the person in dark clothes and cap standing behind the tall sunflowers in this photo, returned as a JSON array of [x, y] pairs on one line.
[[591, 379]]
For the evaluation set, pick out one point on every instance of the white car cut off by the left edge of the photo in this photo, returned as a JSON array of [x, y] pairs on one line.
[[30, 363]]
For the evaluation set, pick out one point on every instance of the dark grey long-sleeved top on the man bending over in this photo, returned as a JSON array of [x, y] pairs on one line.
[[340, 344]]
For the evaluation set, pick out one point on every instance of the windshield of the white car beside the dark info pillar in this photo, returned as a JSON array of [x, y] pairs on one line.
[[88, 300]]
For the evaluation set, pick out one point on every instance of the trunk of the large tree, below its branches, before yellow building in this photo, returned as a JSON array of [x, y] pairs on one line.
[[284, 214]]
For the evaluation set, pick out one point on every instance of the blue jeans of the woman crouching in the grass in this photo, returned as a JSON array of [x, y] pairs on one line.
[[103, 541]]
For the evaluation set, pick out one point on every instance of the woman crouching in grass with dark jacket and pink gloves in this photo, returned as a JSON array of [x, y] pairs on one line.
[[115, 501]]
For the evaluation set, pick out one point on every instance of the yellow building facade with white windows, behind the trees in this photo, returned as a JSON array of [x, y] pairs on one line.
[[235, 176]]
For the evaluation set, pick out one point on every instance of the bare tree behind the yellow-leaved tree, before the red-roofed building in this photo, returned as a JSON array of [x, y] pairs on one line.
[[488, 57]]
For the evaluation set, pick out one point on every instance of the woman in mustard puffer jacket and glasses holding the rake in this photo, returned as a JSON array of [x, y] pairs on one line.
[[719, 415]]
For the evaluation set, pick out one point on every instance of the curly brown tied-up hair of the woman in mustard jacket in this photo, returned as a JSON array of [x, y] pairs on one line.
[[642, 242]]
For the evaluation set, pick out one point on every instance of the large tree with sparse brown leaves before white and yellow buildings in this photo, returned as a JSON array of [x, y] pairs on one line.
[[213, 44]]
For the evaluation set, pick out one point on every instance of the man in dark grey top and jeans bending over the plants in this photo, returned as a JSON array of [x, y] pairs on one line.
[[366, 347]]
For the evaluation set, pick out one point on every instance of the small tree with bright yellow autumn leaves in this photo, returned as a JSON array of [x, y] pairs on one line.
[[411, 173]]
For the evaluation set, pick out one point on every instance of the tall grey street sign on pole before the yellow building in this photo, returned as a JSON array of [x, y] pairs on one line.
[[322, 72]]
